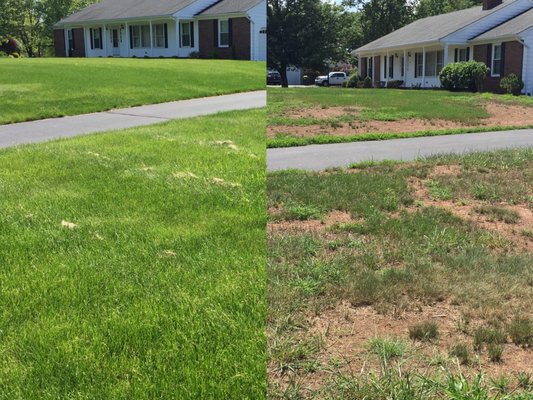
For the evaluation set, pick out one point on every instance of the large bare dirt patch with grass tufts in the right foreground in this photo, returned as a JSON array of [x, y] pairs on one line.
[[346, 331]]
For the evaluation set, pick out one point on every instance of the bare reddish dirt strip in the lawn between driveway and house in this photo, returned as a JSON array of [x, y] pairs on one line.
[[500, 115]]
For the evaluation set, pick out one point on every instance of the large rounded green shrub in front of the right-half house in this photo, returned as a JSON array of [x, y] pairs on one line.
[[464, 76]]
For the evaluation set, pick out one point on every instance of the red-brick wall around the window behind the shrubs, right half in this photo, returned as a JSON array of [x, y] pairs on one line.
[[512, 64]]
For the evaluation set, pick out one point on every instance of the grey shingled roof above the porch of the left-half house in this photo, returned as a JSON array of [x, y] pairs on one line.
[[124, 9]]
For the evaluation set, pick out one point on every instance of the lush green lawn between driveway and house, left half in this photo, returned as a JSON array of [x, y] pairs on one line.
[[41, 88]]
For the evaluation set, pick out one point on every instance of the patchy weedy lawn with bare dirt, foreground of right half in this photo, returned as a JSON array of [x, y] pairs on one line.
[[422, 283]]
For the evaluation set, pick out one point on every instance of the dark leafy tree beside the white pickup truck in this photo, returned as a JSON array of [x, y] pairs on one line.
[[302, 33]]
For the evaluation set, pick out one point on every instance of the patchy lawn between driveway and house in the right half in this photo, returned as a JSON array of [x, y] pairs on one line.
[[351, 109]]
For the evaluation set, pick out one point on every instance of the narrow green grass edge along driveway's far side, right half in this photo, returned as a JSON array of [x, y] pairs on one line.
[[289, 141]]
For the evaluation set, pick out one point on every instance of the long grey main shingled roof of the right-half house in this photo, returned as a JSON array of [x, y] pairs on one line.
[[431, 29]]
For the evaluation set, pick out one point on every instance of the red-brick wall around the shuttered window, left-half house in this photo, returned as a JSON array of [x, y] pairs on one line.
[[241, 40]]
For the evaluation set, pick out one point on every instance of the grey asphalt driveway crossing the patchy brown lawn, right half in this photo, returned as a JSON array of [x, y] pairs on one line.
[[319, 157]]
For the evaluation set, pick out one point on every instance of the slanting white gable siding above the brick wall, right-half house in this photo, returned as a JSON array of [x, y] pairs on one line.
[[489, 22]]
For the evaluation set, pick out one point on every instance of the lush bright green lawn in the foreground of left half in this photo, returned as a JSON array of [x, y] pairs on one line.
[[132, 263]]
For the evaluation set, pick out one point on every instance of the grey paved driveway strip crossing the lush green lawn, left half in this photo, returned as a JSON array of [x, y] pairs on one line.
[[49, 129]]
